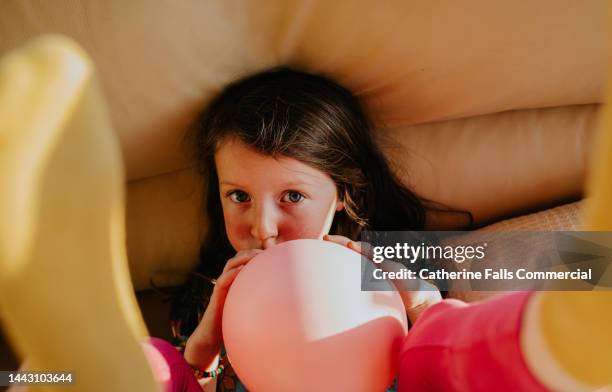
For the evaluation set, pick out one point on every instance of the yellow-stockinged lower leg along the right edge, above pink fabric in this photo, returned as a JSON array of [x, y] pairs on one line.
[[567, 338]]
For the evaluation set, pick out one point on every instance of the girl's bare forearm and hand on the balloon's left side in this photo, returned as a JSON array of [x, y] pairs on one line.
[[203, 346]]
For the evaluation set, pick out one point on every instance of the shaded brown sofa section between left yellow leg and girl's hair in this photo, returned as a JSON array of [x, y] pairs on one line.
[[165, 222]]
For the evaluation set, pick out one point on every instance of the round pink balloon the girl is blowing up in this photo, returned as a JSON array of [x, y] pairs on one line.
[[295, 319]]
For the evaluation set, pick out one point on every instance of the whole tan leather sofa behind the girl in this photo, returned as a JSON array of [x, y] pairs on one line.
[[482, 106]]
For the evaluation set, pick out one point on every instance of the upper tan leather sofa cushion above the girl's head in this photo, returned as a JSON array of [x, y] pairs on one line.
[[411, 61]]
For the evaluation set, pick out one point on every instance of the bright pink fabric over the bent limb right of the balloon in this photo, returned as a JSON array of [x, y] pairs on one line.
[[459, 347]]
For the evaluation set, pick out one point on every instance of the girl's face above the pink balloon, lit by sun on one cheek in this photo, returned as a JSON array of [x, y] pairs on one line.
[[267, 201]]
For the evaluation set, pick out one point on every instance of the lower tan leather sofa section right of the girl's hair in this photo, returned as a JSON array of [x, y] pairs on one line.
[[497, 165]]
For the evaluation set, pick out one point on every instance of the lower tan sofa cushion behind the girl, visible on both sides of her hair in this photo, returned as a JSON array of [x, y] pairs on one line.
[[495, 166]]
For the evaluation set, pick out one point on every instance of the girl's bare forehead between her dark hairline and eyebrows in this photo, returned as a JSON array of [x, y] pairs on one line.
[[236, 162]]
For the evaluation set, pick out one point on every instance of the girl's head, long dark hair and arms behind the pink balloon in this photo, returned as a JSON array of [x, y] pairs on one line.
[[286, 155]]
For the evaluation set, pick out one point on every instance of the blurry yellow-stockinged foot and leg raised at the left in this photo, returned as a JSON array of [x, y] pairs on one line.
[[66, 301]]
